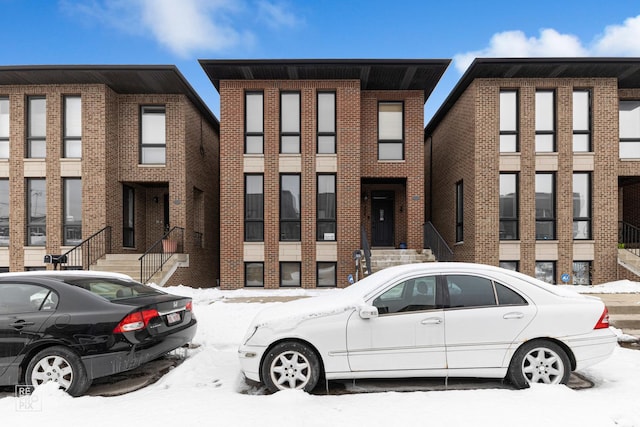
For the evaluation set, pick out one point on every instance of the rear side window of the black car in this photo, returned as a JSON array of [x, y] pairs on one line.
[[26, 298]]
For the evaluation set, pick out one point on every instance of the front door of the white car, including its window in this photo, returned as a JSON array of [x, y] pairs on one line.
[[408, 333]]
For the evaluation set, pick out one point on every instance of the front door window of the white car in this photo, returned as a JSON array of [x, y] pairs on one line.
[[411, 295]]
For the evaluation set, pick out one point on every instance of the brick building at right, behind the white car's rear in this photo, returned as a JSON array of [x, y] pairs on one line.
[[534, 164]]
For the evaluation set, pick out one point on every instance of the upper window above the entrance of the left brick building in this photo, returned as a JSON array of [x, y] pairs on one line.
[[153, 140]]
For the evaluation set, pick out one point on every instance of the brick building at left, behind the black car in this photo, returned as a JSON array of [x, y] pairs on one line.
[[128, 149]]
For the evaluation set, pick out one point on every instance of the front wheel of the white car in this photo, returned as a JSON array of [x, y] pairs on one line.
[[290, 365]]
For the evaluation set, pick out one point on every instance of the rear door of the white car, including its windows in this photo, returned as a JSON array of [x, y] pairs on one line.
[[482, 320]]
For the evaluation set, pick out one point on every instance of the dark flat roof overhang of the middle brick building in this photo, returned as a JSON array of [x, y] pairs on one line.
[[373, 74]]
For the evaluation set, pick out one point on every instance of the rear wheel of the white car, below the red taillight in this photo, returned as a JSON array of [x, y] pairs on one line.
[[539, 362]]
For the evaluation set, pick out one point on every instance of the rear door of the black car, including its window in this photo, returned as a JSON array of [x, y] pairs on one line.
[[24, 308]]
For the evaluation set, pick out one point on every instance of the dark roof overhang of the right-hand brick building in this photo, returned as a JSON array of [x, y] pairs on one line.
[[625, 70]]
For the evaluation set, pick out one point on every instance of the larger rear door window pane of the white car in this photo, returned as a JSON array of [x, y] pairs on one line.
[[470, 291]]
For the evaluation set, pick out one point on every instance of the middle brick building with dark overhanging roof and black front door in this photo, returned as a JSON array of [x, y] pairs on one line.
[[314, 151]]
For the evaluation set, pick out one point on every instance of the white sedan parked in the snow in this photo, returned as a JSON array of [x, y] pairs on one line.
[[430, 320]]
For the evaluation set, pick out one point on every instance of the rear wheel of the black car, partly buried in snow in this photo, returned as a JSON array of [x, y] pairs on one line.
[[61, 365]]
